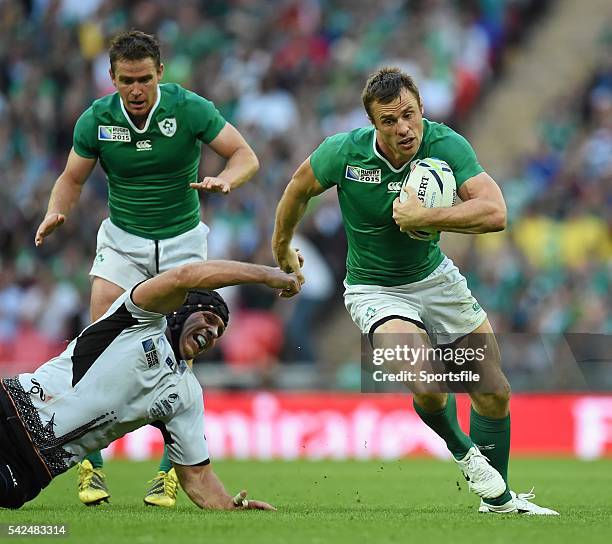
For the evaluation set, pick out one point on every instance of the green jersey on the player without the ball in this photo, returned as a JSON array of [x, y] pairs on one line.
[[149, 169]]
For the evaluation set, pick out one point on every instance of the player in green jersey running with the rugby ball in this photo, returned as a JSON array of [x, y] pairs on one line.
[[399, 285]]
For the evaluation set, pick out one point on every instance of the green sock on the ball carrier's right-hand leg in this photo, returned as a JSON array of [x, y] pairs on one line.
[[493, 439]]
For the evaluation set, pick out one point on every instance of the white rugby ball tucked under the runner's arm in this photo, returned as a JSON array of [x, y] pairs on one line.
[[435, 186]]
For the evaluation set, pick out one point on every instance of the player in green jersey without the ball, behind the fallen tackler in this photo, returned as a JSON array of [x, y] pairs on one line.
[[148, 139]]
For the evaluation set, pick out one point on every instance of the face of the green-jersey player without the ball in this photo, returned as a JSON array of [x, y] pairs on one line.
[[136, 81]]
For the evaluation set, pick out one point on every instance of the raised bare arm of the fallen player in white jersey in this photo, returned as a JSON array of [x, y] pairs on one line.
[[166, 292]]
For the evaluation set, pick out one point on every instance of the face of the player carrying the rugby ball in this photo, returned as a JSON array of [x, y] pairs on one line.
[[399, 127]]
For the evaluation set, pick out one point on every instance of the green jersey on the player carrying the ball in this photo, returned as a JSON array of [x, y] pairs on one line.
[[367, 185]]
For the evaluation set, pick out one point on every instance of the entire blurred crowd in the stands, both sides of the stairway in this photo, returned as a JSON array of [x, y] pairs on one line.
[[288, 73]]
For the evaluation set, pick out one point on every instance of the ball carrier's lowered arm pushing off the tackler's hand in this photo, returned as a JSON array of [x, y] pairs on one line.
[[290, 210]]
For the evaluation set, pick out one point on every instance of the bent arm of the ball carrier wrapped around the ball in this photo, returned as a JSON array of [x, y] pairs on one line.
[[483, 210]]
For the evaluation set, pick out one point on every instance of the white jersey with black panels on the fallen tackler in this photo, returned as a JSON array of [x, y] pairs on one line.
[[119, 374]]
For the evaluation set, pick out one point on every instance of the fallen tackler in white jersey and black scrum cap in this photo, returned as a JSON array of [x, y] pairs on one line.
[[126, 370]]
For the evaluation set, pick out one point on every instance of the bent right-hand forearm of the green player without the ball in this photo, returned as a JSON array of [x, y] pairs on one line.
[[242, 163]]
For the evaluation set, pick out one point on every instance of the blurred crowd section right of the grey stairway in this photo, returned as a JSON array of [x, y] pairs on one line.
[[550, 272]]
